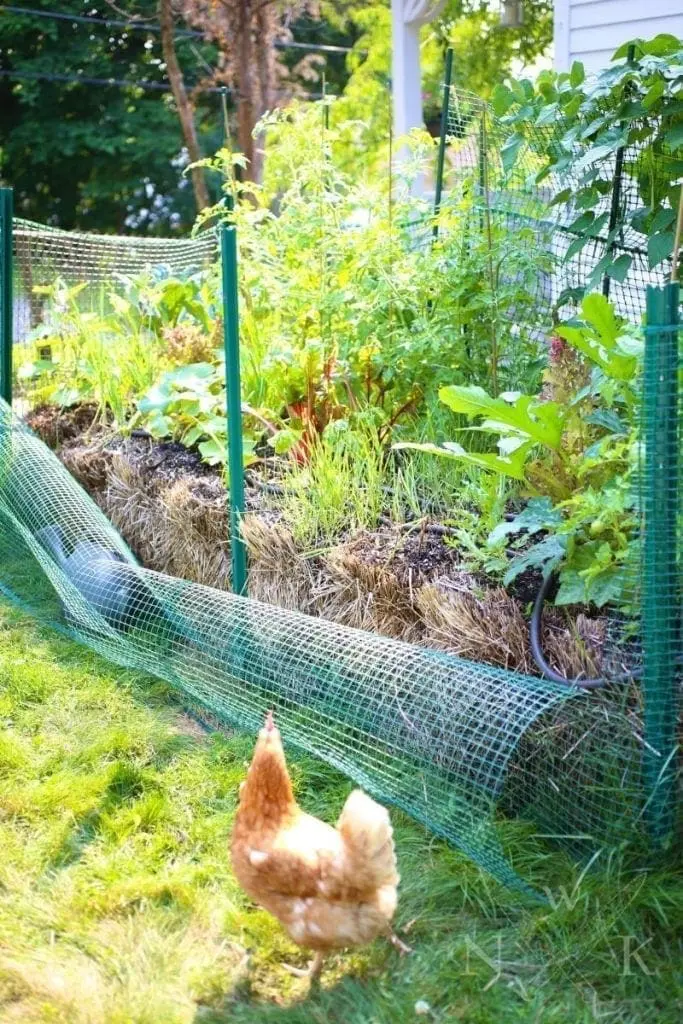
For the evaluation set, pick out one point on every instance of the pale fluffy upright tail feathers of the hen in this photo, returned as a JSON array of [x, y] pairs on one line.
[[366, 830]]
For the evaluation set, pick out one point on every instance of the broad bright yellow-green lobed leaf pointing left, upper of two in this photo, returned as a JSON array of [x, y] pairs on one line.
[[540, 421]]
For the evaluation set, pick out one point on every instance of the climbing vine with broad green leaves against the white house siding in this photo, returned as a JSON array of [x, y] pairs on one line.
[[577, 126]]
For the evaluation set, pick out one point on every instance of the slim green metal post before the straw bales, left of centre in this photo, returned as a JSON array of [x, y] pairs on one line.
[[229, 252]]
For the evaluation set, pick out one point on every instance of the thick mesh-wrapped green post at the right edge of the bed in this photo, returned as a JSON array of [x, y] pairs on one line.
[[661, 583]]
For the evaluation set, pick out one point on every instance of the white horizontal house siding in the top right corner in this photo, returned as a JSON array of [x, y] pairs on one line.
[[590, 31]]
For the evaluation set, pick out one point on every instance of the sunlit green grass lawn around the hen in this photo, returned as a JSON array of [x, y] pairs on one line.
[[118, 905]]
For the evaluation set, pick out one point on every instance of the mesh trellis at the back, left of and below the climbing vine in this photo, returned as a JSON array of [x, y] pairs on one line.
[[507, 196]]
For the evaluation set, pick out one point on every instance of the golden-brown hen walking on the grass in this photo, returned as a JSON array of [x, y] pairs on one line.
[[330, 888]]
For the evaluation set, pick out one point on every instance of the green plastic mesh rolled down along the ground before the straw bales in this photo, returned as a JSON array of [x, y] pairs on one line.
[[447, 741]]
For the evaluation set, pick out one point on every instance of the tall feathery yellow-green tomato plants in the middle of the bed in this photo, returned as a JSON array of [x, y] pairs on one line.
[[348, 305]]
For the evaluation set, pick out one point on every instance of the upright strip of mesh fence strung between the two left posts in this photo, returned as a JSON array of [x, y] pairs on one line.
[[101, 263]]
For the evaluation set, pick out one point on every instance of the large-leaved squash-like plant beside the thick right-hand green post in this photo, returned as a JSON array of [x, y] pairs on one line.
[[576, 457]]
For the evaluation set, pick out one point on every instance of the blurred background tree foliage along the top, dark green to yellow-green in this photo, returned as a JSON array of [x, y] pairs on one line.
[[91, 136]]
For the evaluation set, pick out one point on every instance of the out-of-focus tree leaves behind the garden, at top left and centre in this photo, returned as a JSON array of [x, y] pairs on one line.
[[107, 159]]
